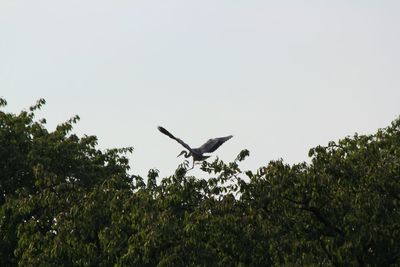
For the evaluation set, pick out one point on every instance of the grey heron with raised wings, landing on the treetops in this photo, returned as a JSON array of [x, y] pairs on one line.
[[197, 153]]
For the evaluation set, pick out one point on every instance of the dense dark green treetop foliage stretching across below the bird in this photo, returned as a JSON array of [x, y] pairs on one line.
[[63, 202]]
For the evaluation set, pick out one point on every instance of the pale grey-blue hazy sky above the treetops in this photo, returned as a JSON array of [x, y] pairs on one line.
[[281, 76]]
